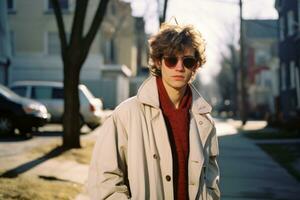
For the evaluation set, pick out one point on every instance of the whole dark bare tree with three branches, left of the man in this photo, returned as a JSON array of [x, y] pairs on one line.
[[74, 52]]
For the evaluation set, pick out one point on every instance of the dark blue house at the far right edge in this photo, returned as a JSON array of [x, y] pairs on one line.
[[289, 55]]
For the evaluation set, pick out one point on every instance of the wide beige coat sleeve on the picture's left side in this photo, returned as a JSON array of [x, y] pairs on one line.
[[107, 173]]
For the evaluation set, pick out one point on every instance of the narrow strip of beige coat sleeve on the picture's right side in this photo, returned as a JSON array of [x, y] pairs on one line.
[[212, 171]]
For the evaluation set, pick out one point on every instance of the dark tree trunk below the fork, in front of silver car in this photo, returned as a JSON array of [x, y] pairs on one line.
[[71, 120]]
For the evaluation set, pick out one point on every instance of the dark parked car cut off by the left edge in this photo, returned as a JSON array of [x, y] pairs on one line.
[[19, 112]]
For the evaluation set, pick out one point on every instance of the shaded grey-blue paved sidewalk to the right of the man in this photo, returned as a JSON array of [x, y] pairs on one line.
[[248, 173]]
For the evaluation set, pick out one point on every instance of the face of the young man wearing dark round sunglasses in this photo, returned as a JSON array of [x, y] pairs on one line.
[[177, 76]]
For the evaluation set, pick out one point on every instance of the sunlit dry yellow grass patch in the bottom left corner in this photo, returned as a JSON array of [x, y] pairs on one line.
[[31, 187]]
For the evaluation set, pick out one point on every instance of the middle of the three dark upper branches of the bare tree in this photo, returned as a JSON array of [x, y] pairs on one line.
[[78, 22]]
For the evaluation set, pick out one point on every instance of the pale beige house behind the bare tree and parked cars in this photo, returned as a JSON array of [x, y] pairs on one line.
[[112, 59]]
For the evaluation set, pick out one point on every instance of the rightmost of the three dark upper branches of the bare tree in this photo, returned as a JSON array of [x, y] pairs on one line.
[[98, 18]]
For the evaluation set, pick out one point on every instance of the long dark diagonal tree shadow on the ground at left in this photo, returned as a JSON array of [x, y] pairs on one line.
[[31, 164]]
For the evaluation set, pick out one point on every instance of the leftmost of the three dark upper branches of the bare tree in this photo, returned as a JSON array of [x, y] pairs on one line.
[[60, 25]]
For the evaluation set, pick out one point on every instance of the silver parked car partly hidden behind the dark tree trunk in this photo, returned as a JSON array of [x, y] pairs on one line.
[[52, 95]]
